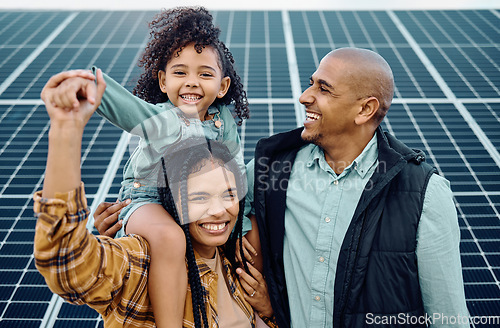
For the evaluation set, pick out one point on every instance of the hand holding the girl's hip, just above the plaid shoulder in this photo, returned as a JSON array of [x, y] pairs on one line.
[[106, 217]]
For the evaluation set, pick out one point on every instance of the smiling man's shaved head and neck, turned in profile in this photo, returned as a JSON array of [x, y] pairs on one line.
[[346, 97]]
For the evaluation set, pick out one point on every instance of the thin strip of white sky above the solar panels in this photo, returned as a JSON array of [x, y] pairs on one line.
[[250, 4]]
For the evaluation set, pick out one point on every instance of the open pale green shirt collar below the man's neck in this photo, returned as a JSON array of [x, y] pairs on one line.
[[361, 164]]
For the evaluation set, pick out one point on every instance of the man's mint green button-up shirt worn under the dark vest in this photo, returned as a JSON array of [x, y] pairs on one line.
[[319, 208]]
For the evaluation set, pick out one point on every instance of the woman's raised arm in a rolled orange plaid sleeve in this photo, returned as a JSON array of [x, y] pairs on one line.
[[108, 275]]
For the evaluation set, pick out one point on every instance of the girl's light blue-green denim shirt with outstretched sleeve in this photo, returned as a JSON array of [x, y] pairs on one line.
[[159, 126]]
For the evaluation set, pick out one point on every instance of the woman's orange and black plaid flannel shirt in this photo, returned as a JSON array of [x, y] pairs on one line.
[[109, 275]]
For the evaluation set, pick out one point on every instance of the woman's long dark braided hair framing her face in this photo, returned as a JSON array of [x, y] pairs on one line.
[[184, 158]]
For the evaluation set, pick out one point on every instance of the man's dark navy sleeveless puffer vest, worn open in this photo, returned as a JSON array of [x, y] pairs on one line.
[[377, 275]]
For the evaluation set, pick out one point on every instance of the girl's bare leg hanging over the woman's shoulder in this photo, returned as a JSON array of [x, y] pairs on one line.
[[167, 281]]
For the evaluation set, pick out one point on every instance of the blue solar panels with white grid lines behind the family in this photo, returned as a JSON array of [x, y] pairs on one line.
[[447, 102]]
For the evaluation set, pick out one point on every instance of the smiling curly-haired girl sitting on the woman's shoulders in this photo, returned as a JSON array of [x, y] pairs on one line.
[[186, 67]]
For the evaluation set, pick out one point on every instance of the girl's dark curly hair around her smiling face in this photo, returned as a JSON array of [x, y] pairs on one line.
[[171, 31]]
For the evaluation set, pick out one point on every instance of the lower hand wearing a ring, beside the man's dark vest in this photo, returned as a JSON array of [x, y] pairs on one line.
[[256, 292]]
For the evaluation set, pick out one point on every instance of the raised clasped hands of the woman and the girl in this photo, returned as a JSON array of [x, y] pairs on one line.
[[69, 97]]
